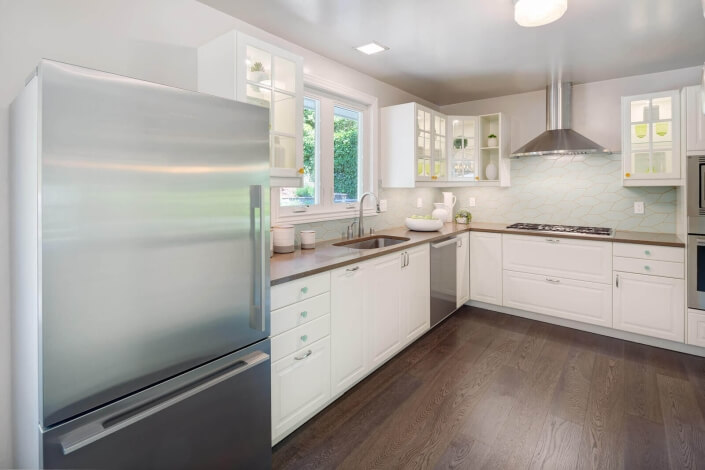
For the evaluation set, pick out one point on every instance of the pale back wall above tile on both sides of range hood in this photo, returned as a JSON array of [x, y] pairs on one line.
[[596, 106]]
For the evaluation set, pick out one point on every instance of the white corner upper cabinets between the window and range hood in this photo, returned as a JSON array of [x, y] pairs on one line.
[[421, 147]]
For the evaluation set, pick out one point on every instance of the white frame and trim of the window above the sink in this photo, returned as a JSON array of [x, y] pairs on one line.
[[367, 105]]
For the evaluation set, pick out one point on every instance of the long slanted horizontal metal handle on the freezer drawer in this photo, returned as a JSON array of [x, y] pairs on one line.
[[92, 432]]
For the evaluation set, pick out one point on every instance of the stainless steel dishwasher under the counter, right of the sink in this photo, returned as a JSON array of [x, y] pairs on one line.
[[443, 279]]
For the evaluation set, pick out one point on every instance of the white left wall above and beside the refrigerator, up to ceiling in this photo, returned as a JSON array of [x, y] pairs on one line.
[[154, 40]]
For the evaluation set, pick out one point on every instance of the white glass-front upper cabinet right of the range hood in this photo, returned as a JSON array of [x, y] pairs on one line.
[[651, 137]]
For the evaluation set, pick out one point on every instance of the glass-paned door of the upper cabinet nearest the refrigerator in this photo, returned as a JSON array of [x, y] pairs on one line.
[[273, 79]]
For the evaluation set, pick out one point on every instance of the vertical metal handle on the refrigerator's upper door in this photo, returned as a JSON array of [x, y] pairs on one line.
[[258, 314]]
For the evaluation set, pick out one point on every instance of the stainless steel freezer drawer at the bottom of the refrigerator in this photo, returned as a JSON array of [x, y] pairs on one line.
[[216, 416]]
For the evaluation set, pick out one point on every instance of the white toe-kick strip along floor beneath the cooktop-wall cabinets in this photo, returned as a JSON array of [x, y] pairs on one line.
[[600, 330]]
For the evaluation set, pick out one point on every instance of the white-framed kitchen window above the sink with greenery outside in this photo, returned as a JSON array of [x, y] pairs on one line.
[[338, 158]]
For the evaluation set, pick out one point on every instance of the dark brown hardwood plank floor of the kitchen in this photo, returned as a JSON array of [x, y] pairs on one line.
[[487, 390]]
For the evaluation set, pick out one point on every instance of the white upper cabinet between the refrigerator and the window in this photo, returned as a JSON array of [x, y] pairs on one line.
[[241, 67]]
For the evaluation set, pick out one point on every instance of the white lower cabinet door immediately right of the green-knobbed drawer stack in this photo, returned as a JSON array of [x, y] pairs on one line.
[[348, 327]]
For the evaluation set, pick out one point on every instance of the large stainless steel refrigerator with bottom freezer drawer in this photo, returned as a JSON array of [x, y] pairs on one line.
[[140, 239]]
